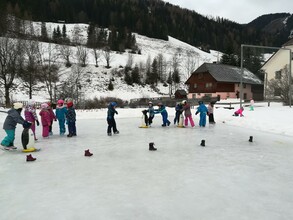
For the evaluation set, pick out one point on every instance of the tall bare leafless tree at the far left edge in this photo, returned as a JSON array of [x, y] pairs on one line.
[[11, 57]]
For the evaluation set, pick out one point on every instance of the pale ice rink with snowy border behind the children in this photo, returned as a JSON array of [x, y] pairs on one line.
[[230, 178]]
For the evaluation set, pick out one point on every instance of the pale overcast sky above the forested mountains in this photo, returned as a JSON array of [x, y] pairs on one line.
[[241, 11]]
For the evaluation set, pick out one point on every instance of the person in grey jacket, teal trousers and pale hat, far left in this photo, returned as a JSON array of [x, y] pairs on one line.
[[13, 118]]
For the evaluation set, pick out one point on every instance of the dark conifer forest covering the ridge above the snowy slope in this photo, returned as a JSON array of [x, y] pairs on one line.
[[152, 18]]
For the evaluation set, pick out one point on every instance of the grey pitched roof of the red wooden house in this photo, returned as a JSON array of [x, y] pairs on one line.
[[226, 73]]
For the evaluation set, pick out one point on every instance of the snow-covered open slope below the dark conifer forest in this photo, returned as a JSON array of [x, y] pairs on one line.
[[95, 80]]
